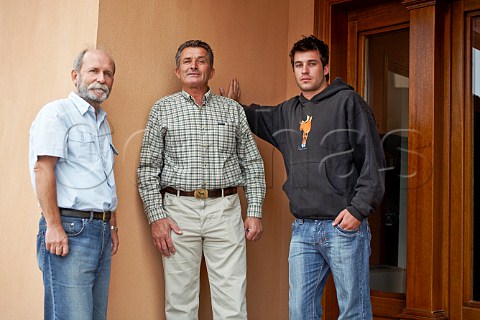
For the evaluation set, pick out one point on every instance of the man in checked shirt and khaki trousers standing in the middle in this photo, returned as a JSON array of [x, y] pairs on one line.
[[197, 149]]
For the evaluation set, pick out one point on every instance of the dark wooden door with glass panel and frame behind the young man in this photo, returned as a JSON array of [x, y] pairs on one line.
[[369, 47]]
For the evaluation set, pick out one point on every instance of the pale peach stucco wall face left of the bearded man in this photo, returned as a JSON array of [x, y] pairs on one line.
[[38, 42]]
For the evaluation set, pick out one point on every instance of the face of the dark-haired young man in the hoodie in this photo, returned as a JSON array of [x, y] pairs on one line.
[[309, 72]]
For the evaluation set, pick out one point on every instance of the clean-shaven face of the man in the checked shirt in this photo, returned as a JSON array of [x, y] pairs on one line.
[[194, 69]]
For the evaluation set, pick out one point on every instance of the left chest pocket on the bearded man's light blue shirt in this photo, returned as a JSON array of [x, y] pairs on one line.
[[82, 147]]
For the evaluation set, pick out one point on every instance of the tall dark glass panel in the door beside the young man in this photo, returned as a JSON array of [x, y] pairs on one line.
[[386, 86]]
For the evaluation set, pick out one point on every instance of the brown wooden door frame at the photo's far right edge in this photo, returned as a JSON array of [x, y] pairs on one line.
[[461, 301]]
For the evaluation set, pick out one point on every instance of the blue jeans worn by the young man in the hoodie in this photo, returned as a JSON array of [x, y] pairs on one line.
[[318, 249]]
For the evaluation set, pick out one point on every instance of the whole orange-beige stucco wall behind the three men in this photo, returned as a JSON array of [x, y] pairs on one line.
[[39, 40]]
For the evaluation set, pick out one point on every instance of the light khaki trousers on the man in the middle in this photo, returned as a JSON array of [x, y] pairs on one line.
[[212, 227]]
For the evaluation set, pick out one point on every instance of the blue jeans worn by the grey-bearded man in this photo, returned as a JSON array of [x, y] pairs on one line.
[[76, 286]]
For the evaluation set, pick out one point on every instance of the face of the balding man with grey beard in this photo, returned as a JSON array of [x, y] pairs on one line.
[[95, 79]]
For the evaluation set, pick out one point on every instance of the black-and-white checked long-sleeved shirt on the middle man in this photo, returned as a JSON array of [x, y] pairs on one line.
[[188, 147]]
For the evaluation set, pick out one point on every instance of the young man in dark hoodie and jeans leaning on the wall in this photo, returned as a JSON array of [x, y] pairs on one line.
[[334, 159]]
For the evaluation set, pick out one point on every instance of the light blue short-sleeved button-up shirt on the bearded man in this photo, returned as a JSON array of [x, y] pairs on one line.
[[70, 130]]
